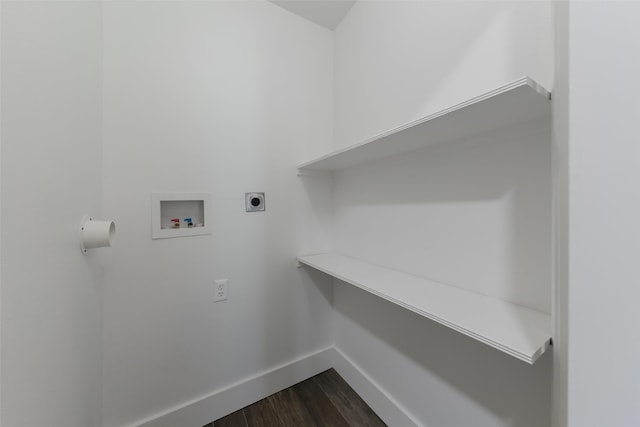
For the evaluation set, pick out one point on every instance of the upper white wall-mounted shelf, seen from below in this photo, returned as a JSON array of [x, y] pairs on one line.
[[517, 102]]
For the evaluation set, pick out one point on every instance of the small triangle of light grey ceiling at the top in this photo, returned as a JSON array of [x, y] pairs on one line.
[[327, 13]]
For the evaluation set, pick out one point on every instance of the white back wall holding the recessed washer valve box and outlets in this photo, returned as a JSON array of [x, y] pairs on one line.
[[221, 98]]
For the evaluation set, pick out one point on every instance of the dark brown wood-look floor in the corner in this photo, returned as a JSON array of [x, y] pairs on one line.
[[325, 400]]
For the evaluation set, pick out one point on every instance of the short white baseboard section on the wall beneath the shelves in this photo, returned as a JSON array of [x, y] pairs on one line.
[[385, 406]]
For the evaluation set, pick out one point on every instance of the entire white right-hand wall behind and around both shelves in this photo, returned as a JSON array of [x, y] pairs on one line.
[[475, 213]]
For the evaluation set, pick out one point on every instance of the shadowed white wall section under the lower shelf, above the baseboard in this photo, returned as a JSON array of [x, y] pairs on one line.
[[442, 377]]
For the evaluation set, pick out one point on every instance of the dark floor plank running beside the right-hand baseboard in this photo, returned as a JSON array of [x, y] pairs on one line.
[[347, 401]]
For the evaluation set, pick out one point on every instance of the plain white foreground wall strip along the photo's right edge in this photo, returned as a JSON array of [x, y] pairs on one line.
[[604, 237]]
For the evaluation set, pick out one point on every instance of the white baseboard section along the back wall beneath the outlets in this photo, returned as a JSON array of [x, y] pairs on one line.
[[229, 399]]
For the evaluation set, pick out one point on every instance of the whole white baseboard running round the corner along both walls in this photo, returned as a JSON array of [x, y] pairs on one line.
[[229, 399]]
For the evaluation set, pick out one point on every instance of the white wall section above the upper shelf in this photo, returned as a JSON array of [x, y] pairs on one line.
[[397, 61]]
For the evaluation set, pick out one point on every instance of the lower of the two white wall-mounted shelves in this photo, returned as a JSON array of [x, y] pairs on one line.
[[519, 331]]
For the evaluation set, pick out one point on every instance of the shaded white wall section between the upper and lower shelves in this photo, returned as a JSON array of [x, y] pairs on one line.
[[474, 214]]
